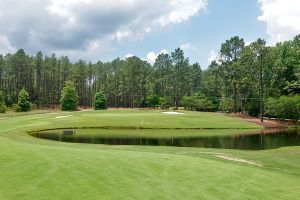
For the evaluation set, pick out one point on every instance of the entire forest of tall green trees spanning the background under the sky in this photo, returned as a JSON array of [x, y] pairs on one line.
[[242, 79]]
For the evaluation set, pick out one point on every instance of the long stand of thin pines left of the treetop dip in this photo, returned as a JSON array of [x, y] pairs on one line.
[[125, 83]]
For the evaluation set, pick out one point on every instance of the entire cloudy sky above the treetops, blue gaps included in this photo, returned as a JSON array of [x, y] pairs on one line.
[[106, 29]]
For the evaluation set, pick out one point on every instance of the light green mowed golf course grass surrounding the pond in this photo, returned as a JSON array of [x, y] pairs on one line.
[[33, 168]]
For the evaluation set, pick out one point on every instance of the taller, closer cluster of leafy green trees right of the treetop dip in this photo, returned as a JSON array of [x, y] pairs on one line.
[[244, 77]]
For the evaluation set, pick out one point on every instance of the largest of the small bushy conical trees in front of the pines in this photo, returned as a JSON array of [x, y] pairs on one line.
[[69, 97]]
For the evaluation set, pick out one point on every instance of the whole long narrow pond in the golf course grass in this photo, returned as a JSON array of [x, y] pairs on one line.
[[226, 138]]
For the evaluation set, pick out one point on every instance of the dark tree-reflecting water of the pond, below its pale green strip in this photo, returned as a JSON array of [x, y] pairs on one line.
[[261, 140]]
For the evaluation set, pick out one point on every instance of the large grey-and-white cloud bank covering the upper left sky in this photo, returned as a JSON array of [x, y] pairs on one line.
[[82, 26]]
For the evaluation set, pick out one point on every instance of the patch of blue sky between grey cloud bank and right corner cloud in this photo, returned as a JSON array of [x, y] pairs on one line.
[[204, 32]]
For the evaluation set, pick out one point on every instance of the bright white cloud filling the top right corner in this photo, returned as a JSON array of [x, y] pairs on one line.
[[282, 18]]
